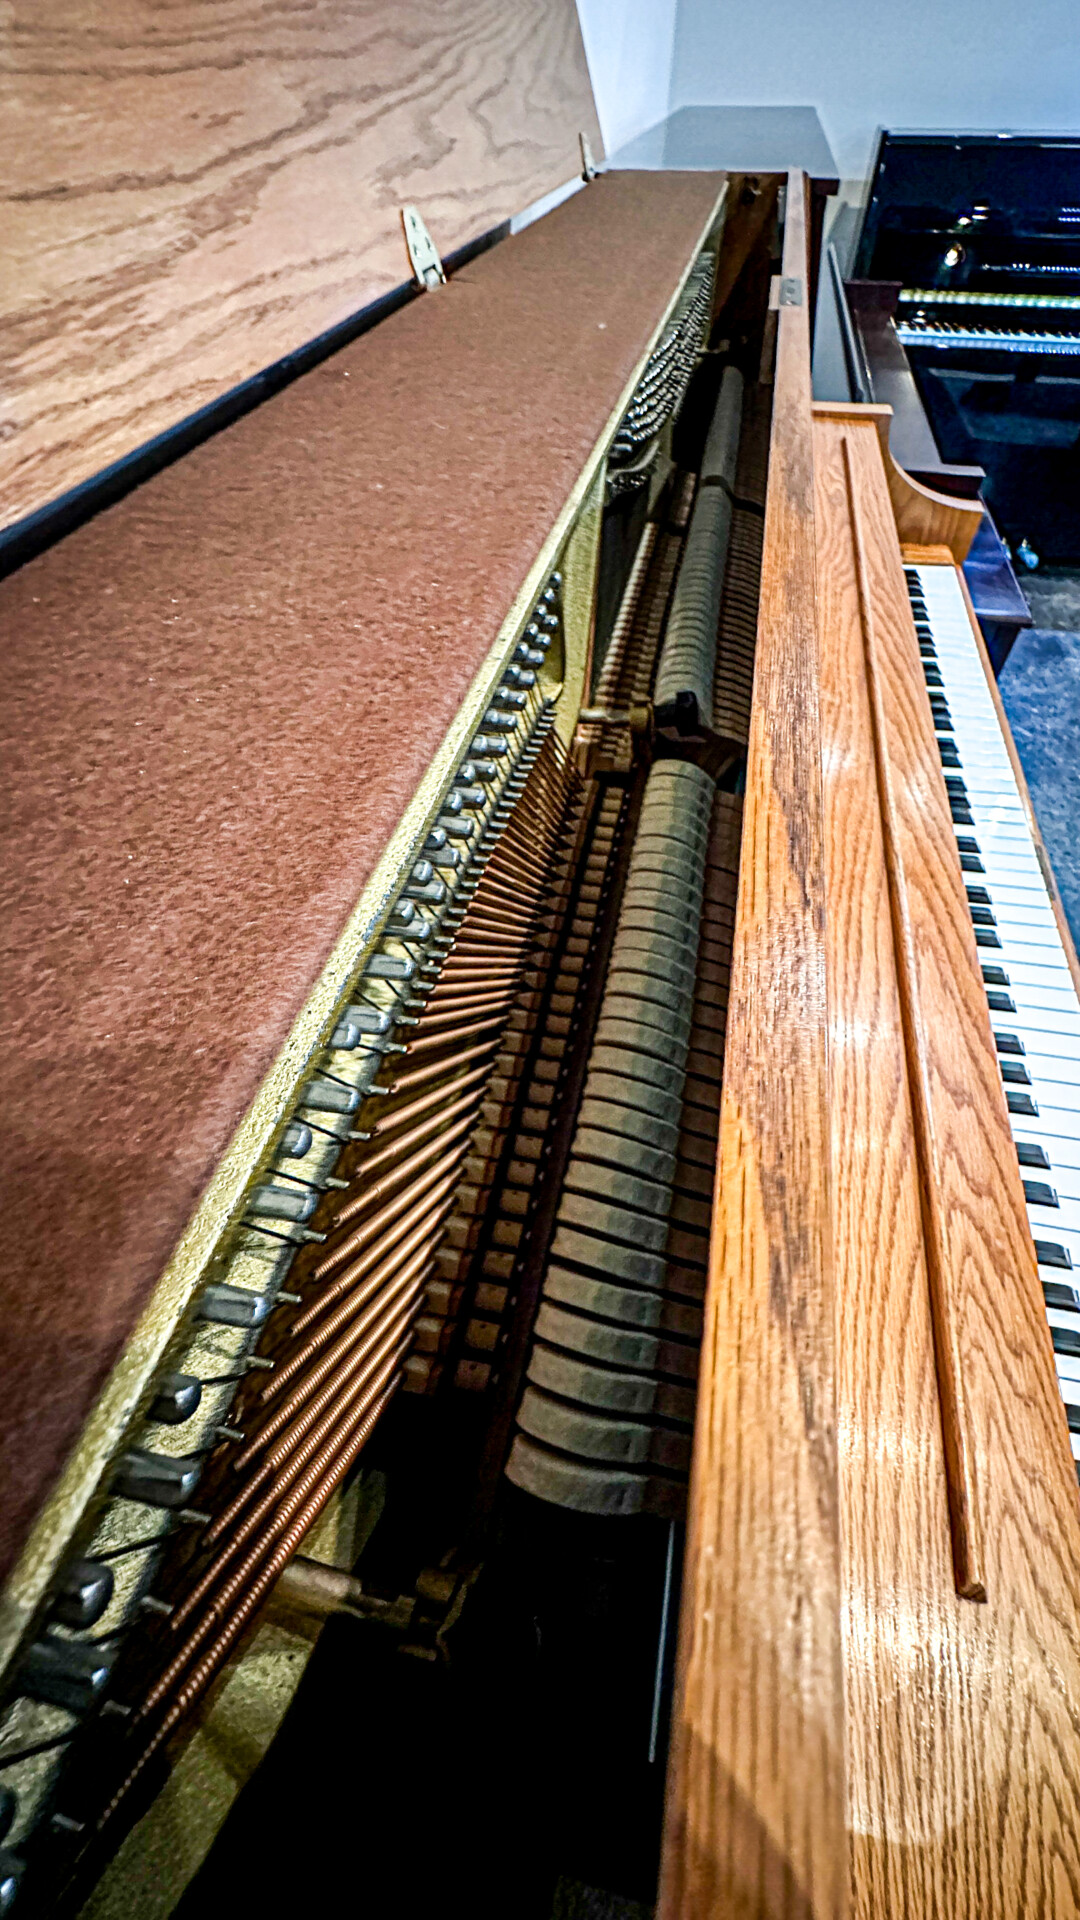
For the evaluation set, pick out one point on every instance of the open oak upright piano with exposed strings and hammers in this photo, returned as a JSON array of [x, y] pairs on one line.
[[547, 1141]]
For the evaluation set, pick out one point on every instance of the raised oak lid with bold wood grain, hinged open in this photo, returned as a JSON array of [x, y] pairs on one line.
[[193, 191]]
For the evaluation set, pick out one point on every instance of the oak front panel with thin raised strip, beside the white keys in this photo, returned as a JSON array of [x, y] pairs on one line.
[[964, 1719]]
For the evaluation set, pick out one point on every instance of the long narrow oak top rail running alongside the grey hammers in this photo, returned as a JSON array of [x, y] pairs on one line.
[[756, 1783]]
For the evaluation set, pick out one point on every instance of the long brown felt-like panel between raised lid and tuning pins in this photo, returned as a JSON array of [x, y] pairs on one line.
[[220, 696]]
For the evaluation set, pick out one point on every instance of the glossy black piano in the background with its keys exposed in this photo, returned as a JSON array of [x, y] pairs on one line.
[[966, 308]]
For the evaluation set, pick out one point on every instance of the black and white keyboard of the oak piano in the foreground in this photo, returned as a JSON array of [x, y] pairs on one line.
[[1029, 984]]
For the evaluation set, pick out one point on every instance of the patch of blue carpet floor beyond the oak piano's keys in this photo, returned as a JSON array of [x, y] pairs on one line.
[[1041, 688]]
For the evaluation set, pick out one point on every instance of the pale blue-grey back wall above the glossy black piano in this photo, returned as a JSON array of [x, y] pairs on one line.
[[866, 64]]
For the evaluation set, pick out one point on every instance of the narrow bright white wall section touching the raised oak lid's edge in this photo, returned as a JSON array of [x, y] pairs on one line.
[[629, 47]]
